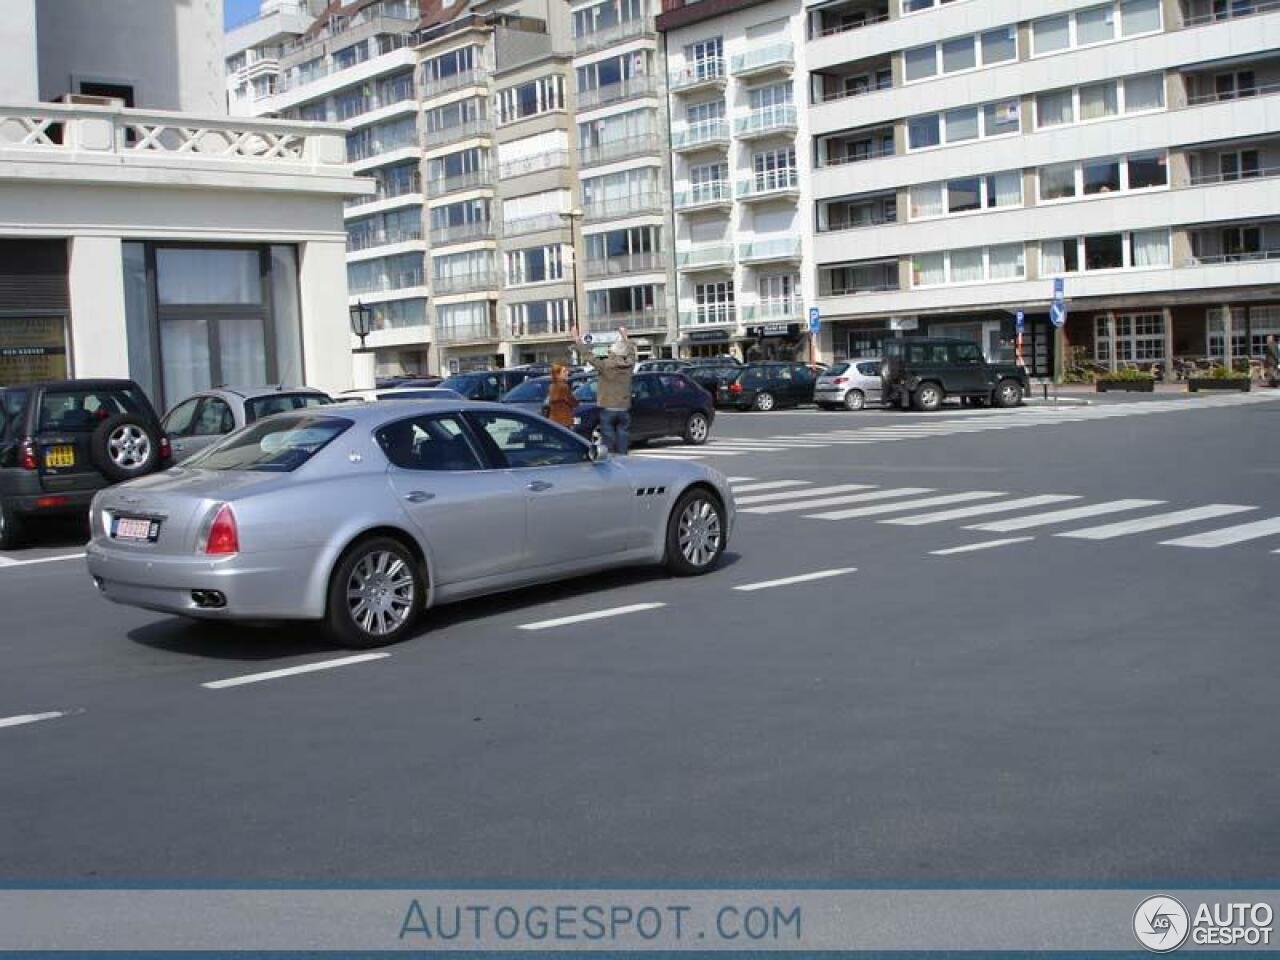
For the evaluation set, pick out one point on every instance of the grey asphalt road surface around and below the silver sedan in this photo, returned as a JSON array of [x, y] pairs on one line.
[[1050, 710]]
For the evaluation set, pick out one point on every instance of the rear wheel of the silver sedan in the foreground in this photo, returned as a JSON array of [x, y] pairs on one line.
[[364, 569]]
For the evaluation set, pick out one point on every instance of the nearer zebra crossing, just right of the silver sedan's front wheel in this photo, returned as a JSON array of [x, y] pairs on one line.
[[1071, 516]]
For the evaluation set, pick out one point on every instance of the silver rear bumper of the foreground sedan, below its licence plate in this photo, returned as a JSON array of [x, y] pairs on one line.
[[272, 586]]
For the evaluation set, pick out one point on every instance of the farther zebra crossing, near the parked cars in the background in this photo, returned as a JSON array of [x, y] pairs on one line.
[[724, 447]]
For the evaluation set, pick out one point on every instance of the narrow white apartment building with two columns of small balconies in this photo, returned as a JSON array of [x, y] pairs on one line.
[[742, 176]]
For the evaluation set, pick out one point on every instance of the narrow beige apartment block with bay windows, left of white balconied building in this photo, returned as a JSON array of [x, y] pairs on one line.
[[625, 175]]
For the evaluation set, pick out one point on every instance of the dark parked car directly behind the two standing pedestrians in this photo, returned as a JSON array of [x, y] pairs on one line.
[[662, 405]]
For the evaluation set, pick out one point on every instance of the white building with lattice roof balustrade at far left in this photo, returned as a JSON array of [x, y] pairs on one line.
[[147, 235]]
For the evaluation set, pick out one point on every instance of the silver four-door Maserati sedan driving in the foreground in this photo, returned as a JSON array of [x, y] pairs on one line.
[[405, 508]]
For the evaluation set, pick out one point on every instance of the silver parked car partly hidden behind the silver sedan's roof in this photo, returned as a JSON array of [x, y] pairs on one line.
[[208, 417]]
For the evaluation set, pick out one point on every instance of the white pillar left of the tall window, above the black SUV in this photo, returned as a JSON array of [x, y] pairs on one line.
[[95, 277]]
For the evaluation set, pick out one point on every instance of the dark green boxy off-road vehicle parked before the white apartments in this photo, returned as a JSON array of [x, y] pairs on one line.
[[922, 372]]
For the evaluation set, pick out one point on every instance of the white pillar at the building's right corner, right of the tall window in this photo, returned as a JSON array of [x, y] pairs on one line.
[[326, 318]]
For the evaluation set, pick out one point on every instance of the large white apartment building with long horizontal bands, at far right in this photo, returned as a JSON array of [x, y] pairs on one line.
[[970, 156]]
